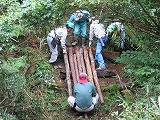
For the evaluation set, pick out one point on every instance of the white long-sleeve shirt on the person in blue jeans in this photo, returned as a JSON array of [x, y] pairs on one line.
[[96, 29]]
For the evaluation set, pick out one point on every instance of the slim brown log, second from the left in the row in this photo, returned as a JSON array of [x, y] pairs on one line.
[[72, 66]]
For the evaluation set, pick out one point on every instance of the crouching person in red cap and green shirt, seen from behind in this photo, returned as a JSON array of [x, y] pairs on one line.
[[85, 96]]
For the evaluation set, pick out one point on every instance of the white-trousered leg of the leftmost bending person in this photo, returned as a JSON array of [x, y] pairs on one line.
[[54, 51]]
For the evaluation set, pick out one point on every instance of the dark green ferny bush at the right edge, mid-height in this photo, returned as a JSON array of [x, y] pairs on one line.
[[143, 66]]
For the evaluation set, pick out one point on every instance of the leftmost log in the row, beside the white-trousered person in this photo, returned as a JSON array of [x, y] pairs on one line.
[[69, 83]]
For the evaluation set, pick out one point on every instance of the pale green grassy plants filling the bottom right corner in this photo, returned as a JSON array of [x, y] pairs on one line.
[[142, 108]]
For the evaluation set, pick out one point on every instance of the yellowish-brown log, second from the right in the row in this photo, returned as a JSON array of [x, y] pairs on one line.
[[88, 66]]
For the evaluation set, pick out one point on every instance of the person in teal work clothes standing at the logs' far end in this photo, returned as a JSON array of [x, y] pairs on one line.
[[80, 19]]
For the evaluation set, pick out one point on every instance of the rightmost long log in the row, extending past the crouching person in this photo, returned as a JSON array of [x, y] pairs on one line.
[[95, 75]]
